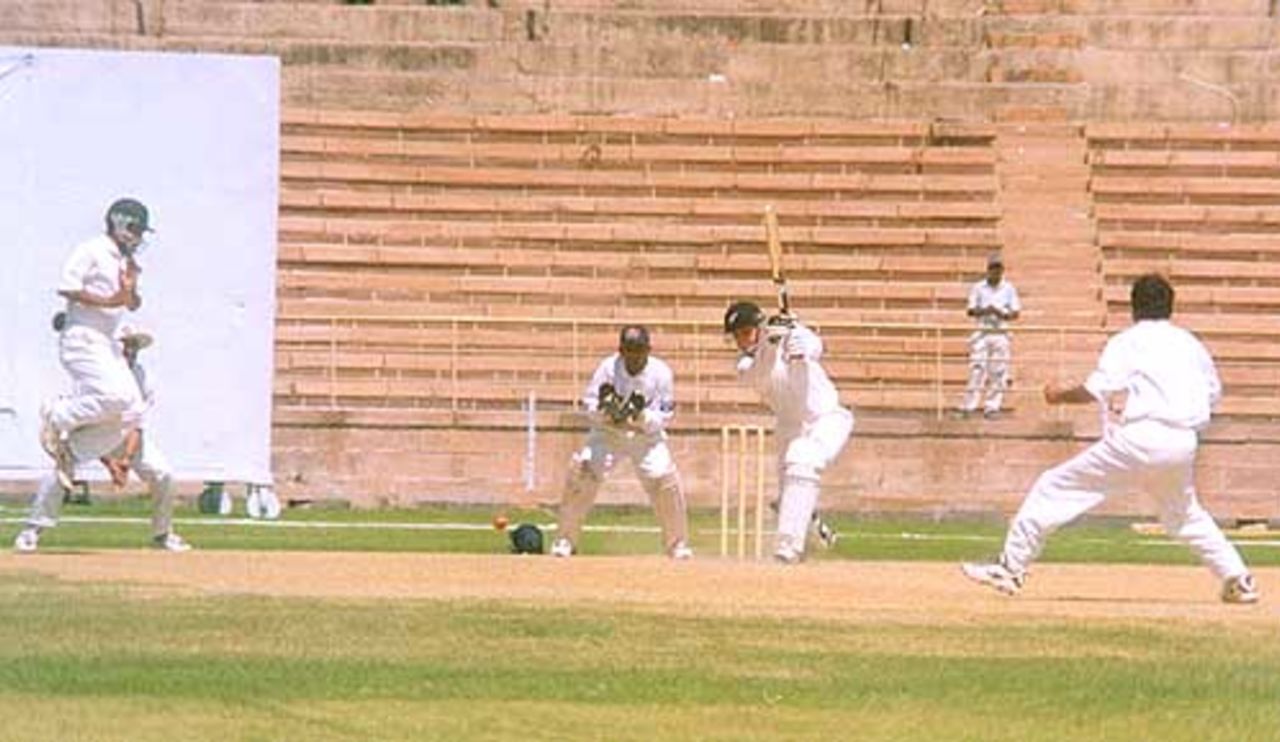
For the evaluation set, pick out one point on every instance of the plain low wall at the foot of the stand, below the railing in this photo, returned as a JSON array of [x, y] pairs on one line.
[[934, 468]]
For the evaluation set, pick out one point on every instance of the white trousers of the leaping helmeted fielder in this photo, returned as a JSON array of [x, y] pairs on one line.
[[103, 388]]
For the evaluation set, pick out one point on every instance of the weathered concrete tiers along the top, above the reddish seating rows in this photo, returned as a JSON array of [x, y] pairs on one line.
[[950, 59]]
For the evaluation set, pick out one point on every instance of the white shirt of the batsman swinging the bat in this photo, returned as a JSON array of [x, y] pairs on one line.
[[797, 391]]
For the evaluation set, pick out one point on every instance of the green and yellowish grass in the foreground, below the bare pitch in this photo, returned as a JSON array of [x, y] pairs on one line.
[[98, 665]]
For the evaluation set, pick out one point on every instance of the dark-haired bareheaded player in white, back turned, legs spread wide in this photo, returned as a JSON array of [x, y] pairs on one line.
[[1171, 386]]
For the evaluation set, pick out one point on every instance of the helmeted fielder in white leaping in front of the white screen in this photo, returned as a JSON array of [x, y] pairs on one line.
[[99, 282]]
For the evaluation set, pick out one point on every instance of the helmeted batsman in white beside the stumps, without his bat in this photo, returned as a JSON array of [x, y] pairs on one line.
[[781, 361]]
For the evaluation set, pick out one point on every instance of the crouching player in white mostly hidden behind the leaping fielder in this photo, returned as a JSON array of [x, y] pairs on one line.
[[120, 452]]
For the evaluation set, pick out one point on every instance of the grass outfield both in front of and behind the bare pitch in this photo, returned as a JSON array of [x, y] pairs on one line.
[[118, 661]]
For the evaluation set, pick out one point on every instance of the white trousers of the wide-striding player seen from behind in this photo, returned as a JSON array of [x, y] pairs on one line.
[[1146, 455]]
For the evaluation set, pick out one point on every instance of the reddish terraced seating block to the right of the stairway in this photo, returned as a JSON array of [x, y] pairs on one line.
[[1200, 204]]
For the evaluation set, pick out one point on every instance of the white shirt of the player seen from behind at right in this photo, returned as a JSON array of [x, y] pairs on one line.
[[1167, 372]]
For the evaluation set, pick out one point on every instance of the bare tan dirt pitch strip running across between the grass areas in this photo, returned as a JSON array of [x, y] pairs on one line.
[[830, 592]]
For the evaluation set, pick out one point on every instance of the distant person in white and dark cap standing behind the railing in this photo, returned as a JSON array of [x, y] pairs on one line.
[[994, 304]]
